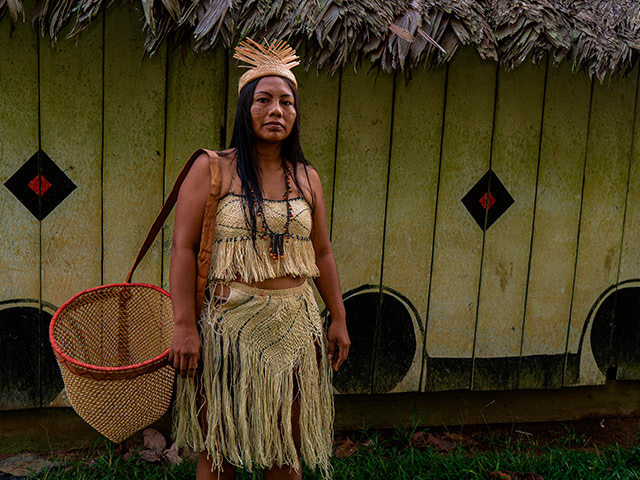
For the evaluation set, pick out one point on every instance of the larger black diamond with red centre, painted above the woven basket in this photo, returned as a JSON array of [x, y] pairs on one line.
[[40, 185]]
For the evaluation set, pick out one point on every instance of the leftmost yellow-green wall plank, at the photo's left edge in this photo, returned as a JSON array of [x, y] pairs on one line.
[[20, 245]]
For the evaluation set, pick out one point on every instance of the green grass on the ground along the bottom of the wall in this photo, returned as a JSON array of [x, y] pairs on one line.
[[390, 459]]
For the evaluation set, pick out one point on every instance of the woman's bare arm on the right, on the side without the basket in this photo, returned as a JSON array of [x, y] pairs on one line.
[[327, 282]]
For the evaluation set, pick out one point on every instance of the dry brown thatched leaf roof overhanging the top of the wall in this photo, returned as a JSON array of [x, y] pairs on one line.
[[599, 36]]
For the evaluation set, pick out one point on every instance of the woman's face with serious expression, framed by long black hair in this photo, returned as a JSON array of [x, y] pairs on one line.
[[273, 112]]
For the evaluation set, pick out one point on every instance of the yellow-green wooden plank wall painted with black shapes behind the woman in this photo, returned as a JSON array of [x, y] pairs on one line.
[[438, 297]]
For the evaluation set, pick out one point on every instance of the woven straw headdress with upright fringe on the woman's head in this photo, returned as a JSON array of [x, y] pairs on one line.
[[276, 58]]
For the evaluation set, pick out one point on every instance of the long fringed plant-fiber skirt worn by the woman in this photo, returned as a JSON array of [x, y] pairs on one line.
[[262, 350]]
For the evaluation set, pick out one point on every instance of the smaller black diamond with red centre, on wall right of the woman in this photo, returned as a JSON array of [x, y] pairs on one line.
[[487, 200]]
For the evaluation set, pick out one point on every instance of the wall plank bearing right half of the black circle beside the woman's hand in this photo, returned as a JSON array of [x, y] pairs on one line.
[[411, 208]]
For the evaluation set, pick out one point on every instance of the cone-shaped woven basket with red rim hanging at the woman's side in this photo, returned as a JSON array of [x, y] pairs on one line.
[[112, 343]]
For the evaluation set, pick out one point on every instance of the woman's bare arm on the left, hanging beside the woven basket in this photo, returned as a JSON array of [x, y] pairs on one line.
[[192, 199]]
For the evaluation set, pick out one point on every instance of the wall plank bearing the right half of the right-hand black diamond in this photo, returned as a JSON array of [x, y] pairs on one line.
[[507, 242]]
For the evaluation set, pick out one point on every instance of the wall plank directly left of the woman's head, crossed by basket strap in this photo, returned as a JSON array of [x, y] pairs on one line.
[[195, 119]]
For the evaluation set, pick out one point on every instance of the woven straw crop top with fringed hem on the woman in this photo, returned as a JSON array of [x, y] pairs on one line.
[[233, 255]]
